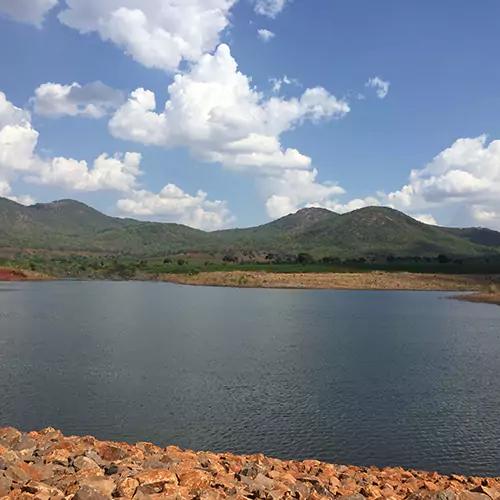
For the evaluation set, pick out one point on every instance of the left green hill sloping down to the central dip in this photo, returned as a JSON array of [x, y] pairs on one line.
[[71, 225]]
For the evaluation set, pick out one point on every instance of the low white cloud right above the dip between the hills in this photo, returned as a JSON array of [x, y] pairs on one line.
[[172, 202]]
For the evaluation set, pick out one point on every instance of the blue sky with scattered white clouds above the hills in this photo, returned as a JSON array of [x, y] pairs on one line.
[[231, 113]]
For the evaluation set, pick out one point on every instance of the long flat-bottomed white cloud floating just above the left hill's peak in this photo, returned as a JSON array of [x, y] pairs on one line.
[[118, 173]]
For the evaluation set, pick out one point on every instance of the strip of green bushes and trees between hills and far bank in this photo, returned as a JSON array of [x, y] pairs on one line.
[[89, 266]]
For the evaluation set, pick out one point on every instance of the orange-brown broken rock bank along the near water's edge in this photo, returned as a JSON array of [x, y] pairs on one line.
[[46, 465]]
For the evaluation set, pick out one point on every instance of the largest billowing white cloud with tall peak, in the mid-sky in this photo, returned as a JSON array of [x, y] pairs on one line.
[[215, 112]]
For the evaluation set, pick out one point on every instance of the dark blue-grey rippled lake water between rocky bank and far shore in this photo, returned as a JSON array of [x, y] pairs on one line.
[[368, 378]]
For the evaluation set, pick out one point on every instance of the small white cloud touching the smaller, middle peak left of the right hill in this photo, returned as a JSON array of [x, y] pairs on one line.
[[295, 189]]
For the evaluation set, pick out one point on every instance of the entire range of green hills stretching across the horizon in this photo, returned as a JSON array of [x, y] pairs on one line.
[[71, 225]]
